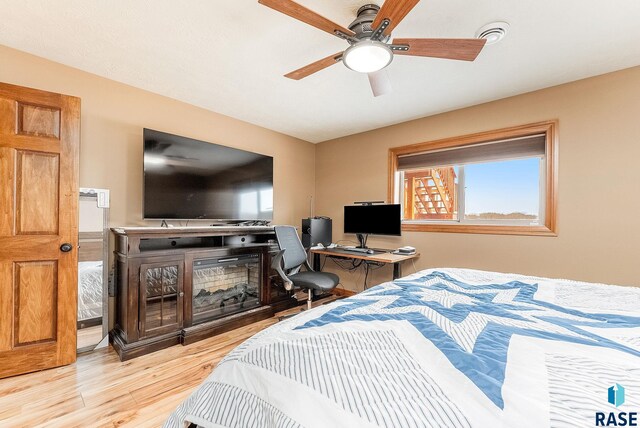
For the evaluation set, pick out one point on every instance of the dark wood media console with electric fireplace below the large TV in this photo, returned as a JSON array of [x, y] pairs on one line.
[[180, 285]]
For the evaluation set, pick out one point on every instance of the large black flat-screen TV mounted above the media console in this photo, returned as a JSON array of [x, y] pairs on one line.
[[191, 179]]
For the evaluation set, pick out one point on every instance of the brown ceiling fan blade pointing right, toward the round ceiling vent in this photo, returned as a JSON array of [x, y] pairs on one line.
[[462, 49]]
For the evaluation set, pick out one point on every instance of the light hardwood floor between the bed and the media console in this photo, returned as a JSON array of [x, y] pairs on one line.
[[100, 391]]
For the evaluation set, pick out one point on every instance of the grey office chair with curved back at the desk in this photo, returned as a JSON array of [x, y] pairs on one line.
[[291, 258]]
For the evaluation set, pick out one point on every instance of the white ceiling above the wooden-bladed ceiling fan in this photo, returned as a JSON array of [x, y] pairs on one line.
[[229, 56]]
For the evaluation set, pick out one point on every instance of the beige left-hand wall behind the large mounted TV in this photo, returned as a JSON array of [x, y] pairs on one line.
[[113, 115]]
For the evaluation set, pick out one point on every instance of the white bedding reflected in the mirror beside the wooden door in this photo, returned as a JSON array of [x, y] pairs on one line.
[[90, 292]]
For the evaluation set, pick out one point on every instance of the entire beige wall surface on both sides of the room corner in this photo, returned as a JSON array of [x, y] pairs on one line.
[[599, 177]]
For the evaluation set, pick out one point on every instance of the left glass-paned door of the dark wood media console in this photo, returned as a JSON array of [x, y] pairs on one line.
[[161, 294]]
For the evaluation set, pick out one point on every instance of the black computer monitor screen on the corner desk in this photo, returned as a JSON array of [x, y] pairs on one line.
[[373, 219]]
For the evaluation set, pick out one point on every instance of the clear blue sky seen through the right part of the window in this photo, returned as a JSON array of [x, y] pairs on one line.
[[503, 187]]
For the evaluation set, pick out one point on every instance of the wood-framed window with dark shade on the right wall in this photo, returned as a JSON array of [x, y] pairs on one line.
[[500, 182]]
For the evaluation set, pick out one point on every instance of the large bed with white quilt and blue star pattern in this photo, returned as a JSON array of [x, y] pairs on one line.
[[442, 347]]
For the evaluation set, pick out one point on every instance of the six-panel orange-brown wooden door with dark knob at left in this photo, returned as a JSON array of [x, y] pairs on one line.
[[39, 143]]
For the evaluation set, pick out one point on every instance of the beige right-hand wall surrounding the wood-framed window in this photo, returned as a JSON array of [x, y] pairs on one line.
[[599, 184]]
